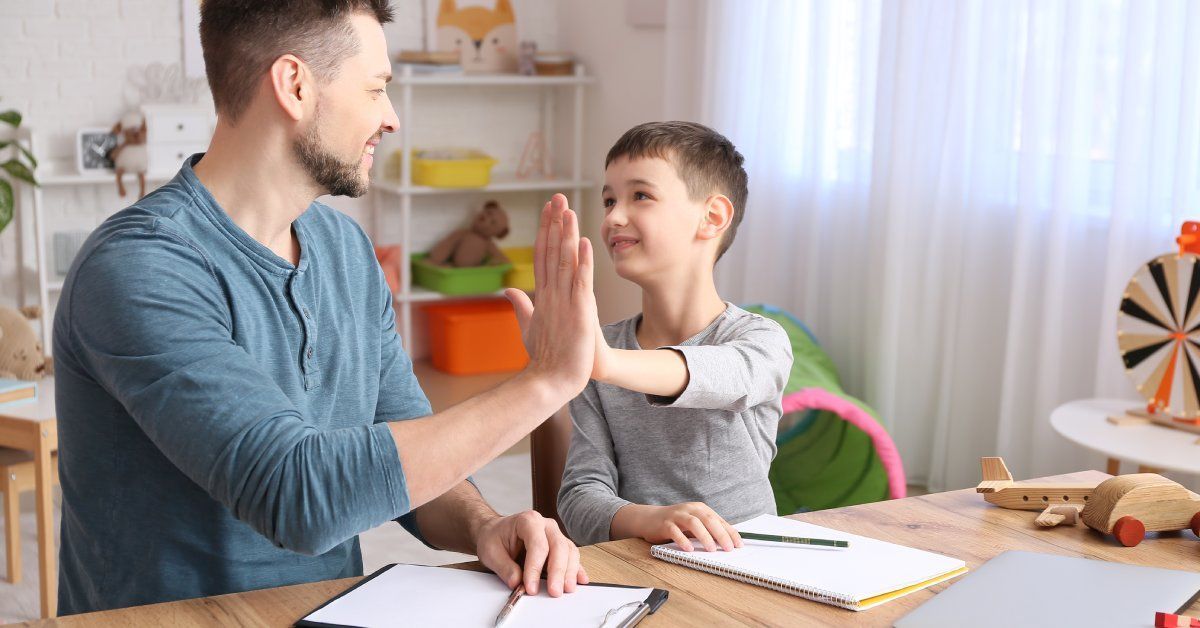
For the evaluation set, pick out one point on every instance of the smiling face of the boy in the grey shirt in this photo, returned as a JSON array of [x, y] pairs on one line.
[[651, 225]]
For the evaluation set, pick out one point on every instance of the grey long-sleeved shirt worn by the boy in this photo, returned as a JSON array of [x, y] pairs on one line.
[[713, 444]]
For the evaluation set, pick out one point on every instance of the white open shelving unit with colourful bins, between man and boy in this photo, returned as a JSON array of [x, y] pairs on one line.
[[405, 87]]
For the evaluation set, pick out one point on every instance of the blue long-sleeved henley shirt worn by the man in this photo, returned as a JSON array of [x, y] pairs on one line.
[[221, 412]]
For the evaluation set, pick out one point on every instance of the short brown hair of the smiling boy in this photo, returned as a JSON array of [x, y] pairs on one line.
[[705, 160]]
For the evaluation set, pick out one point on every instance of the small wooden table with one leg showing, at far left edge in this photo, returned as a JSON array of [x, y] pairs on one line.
[[33, 427]]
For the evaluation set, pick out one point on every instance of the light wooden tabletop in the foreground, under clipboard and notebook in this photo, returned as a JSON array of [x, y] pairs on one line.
[[959, 524]]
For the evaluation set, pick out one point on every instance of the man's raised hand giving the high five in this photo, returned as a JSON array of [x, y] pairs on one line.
[[560, 325]]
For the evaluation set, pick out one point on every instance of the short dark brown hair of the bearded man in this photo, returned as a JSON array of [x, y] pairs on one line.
[[242, 39]]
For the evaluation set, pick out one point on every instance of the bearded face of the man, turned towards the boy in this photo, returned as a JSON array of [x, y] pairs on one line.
[[351, 116]]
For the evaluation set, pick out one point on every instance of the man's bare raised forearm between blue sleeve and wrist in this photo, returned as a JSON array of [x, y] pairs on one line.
[[441, 451]]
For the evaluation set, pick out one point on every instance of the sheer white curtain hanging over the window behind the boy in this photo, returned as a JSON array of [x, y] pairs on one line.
[[953, 195]]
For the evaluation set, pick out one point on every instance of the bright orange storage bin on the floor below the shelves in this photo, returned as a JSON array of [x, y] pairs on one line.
[[476, 338]]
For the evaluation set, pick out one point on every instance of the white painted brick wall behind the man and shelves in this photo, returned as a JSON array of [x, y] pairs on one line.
[[64, 65]]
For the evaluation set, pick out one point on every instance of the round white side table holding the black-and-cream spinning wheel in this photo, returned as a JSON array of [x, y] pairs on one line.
[[1153, 447]]
